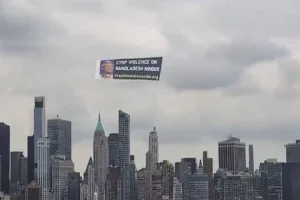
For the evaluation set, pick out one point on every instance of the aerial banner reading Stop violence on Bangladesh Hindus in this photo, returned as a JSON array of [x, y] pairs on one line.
[[134, 68]]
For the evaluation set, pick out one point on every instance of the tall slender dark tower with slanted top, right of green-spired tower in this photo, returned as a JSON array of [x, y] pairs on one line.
[[124, 136]]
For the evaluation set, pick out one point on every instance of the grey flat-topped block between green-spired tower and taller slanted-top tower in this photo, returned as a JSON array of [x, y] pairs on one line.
[[113, 149]]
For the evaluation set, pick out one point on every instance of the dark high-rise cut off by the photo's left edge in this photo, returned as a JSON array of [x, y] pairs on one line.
[[4, 153]]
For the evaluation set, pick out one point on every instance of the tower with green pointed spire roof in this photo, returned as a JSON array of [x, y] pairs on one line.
[[100, 158]]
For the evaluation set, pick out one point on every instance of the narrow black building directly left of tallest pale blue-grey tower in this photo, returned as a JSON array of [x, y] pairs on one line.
[[30, 160]]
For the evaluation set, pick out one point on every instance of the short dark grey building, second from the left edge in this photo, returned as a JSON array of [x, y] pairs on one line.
[[15, 171]]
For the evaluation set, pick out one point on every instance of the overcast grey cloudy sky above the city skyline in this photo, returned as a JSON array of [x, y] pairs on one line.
[[230, 67]]
